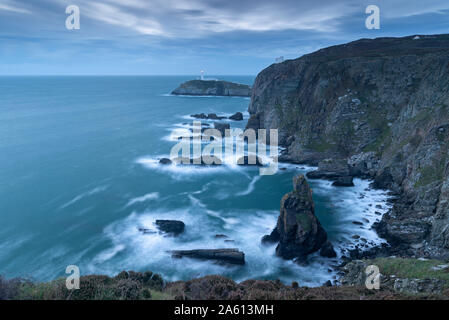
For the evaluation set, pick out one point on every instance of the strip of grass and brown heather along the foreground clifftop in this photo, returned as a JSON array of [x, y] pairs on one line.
[[148, 286]]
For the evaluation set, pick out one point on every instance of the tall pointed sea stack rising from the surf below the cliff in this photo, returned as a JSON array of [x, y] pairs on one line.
[[298, 231]]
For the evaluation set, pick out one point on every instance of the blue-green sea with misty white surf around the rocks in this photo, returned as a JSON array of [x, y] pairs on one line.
[[79, 176]]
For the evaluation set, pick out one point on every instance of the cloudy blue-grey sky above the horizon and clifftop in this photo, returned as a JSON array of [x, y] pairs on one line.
[[182, 37]]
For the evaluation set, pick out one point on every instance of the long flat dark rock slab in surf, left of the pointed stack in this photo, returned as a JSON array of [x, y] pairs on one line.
[[233, 256]]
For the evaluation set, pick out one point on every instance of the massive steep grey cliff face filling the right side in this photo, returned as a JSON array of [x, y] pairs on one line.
[[382, 106]]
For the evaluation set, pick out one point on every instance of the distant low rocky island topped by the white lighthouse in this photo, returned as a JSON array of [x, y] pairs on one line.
[[212, 88]]
